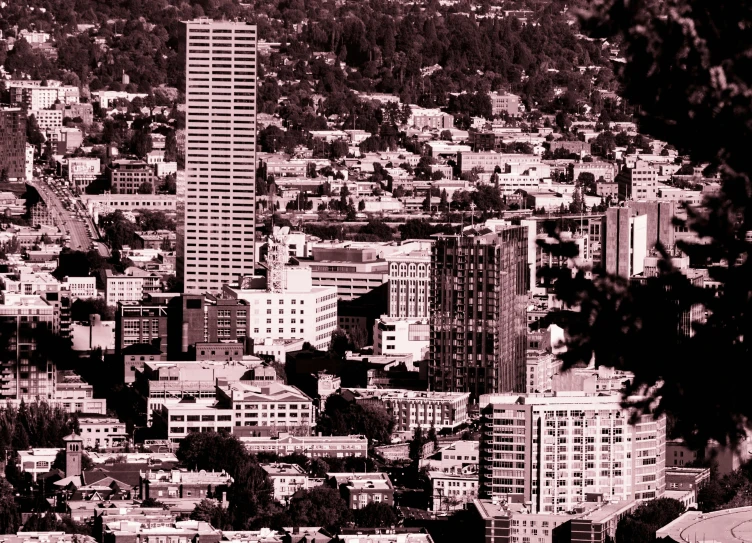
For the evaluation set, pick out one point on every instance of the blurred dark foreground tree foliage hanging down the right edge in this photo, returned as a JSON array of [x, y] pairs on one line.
[[674, 57]]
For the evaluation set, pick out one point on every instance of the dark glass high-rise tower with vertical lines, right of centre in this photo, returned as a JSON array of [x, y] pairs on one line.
[[478, 302]]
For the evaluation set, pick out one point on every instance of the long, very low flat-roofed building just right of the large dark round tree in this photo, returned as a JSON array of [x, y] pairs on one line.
[[311, 446]]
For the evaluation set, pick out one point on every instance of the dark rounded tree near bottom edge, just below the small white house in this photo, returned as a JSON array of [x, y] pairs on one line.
[[319, 506]]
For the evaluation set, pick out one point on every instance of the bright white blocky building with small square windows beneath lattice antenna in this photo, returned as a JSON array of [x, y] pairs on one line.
[[289, 308]]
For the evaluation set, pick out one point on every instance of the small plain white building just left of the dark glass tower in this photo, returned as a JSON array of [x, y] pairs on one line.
[[402, 336]]
